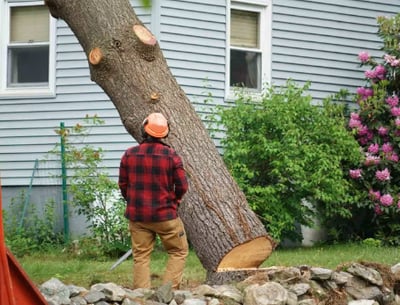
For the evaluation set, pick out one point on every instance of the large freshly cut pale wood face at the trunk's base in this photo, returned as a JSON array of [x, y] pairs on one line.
[[248, 255]]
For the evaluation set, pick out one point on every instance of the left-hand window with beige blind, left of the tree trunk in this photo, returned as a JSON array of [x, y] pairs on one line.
[[26, 49]]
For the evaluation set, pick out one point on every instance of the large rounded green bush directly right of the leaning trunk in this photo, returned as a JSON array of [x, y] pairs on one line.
[[288, 156]]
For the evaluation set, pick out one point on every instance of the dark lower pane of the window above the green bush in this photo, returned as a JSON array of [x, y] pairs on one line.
[[245, 69]]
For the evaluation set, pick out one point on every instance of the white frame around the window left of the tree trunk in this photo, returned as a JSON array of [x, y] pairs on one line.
[[24, 91]]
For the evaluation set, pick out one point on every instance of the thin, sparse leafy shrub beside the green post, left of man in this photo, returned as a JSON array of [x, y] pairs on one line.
[[92, 191]]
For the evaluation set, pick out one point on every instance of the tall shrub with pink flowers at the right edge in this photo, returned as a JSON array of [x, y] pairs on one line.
[[376, 126]]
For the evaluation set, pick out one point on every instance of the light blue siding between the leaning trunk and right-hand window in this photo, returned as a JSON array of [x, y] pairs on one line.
[[193, 39]]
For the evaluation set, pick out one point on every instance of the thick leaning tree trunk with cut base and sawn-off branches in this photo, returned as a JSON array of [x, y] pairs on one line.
[[126, 61]]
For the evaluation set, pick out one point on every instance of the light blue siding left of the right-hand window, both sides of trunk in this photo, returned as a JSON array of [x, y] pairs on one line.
[[193, 41]]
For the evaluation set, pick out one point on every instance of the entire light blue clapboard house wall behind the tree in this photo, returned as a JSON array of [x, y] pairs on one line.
[[312, 40]]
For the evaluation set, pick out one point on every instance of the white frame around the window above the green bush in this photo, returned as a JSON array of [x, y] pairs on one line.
[[264, 9]]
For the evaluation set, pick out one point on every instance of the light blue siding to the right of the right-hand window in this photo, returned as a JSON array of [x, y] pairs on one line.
[[319, 41]]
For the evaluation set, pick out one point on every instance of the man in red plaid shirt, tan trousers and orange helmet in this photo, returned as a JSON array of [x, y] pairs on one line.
[[153, 181]]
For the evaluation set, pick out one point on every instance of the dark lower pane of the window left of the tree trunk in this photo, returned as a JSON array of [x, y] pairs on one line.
[[28, 65]]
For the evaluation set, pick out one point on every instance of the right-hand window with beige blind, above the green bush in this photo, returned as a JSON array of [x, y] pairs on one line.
[[249, 44]]
